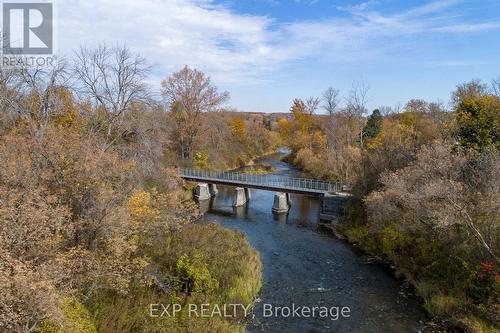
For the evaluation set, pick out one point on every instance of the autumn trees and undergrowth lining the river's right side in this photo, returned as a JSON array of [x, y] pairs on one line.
[[426, 183]]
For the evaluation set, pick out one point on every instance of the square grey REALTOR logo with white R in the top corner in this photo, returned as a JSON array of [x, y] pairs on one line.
[[27, 28]]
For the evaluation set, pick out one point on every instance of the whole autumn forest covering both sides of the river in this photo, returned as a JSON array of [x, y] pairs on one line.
[[95, 223]]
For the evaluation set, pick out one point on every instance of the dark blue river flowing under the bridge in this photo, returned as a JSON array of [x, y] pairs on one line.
[[306, 267]]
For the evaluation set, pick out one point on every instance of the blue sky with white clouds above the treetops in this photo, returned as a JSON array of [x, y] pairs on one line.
[[265, 53]]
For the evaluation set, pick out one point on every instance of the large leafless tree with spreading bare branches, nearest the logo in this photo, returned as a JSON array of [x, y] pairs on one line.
[[112, 78]]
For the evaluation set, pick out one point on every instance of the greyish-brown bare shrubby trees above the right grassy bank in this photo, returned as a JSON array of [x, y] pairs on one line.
[[440, 194]]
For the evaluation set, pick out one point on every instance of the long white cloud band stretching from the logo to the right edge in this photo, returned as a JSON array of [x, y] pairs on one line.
[[234, 47]]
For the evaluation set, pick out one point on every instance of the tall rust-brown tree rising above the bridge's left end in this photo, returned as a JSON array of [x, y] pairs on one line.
[[190, 92]]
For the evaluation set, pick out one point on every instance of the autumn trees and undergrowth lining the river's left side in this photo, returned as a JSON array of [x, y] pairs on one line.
[[95, 223]]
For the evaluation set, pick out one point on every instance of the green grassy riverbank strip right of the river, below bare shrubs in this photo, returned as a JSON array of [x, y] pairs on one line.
[[408, 257]]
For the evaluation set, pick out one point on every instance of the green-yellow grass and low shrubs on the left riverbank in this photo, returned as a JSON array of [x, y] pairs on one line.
[[223, 254]]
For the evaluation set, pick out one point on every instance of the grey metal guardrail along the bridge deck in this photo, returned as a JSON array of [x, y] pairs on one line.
[[275, 181]]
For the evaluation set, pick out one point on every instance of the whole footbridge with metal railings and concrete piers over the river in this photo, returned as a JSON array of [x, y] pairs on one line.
[[328, 192]]
